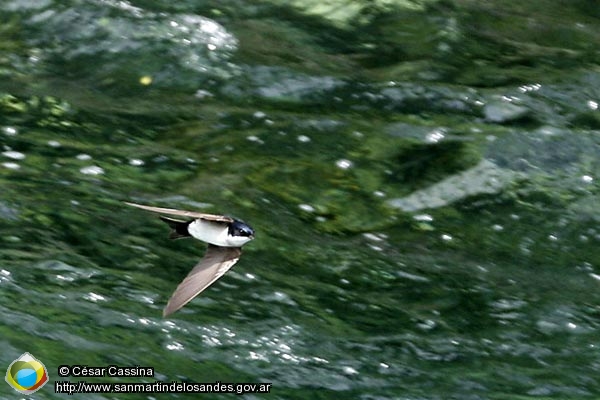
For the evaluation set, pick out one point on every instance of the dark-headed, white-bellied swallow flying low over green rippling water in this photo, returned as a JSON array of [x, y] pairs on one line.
[[225, 237]]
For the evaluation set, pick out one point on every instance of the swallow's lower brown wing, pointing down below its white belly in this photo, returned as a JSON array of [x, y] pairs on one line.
[[215, 263]]
